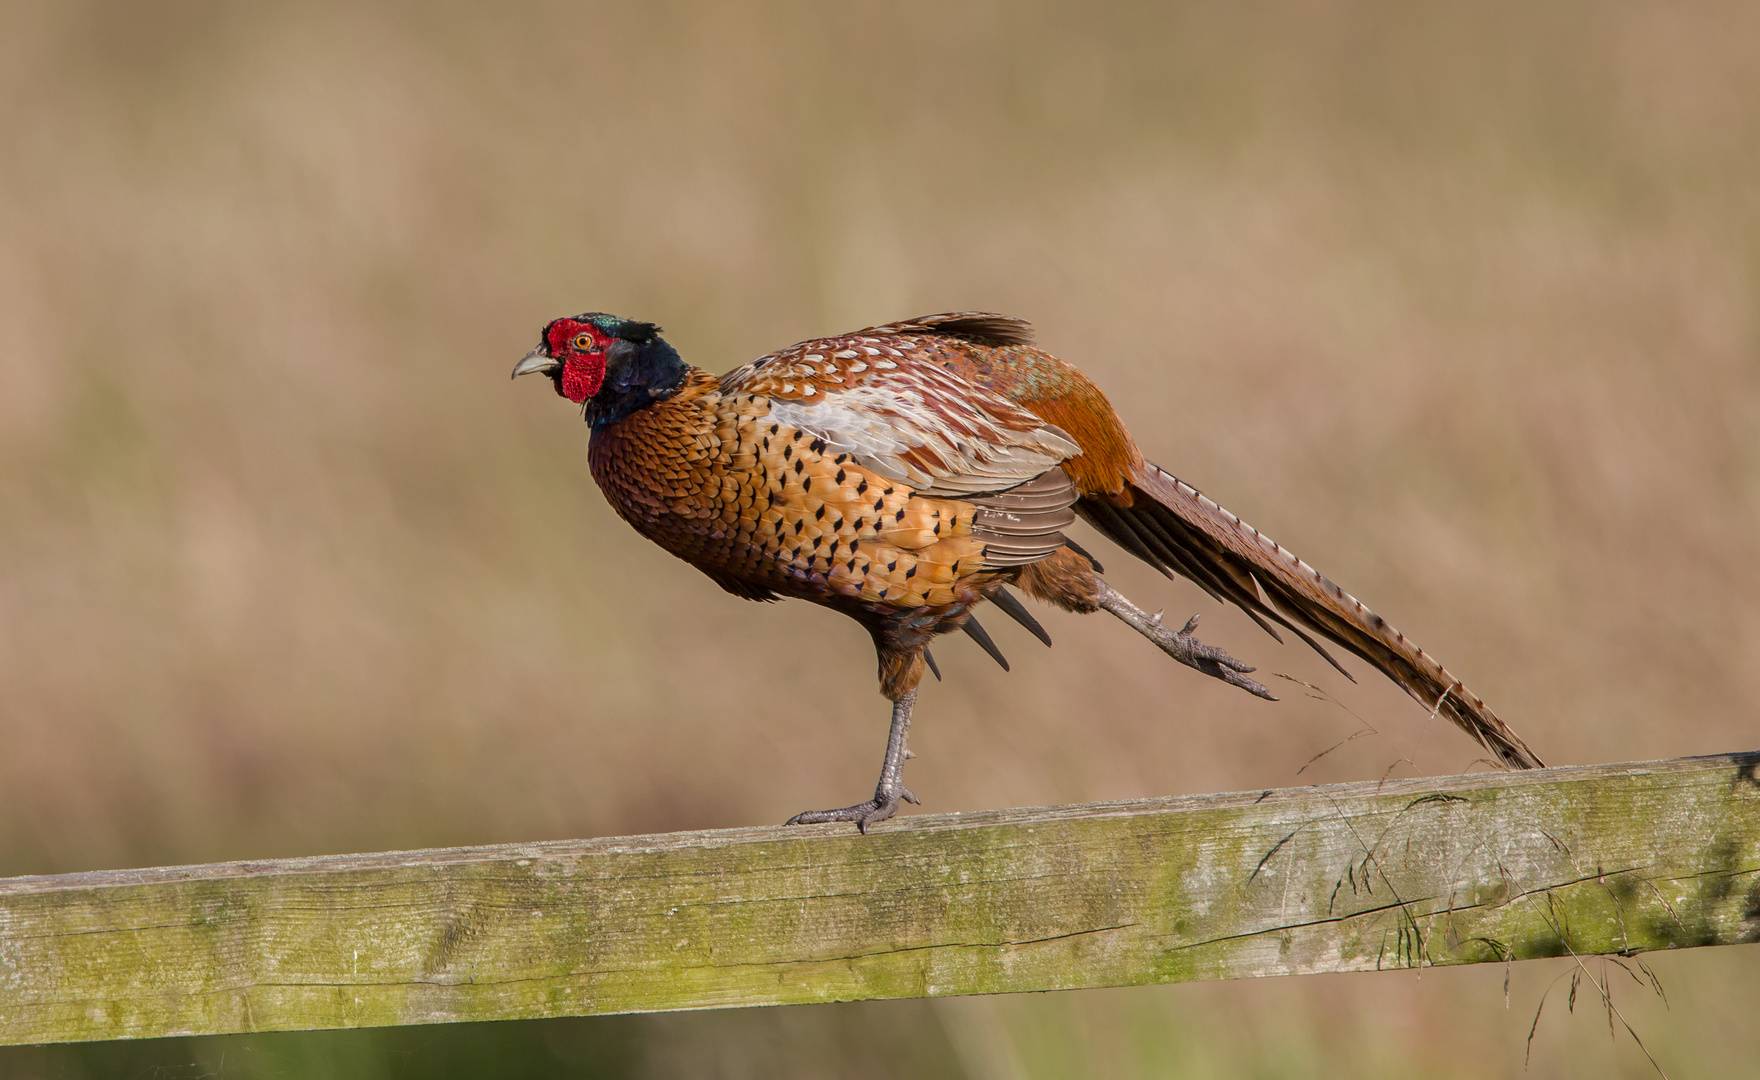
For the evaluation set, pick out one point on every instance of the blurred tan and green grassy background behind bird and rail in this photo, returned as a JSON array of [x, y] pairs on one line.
[[1458, 302]]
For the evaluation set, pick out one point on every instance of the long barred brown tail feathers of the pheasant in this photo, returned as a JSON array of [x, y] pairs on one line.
[[1175, 529]]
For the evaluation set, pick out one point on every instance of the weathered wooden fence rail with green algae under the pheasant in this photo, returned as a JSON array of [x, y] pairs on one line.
[[1337, 879]]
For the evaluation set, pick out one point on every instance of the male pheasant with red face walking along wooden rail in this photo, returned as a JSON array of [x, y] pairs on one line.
[[911, 472]]
